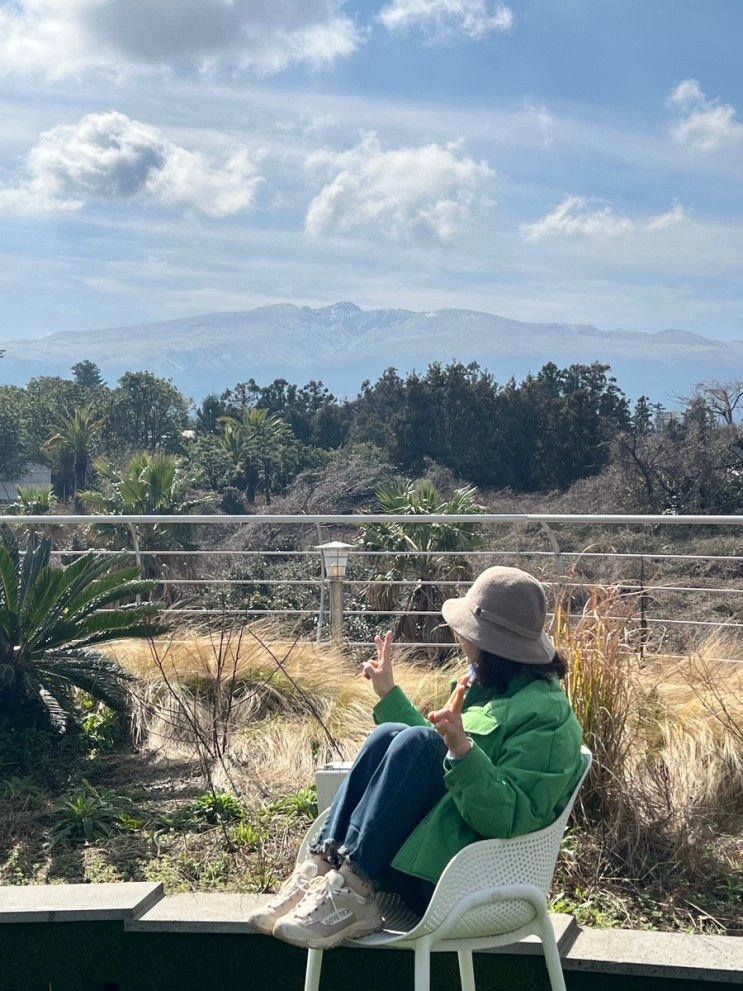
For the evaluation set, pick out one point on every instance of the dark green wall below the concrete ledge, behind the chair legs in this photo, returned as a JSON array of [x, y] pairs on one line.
[[101, 956]]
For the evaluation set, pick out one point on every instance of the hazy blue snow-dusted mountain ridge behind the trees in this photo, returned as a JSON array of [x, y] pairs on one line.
[[342, 344]]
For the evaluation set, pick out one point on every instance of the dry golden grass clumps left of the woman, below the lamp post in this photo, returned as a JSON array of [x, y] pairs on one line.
[[281, 719]]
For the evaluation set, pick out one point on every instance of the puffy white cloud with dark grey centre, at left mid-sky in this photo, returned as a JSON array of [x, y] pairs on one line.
[[108, 156]]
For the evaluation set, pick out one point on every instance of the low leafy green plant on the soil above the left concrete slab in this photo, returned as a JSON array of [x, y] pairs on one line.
[[92, 814]]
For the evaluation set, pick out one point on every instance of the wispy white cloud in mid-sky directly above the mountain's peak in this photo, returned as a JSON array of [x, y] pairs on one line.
[[420, 193]]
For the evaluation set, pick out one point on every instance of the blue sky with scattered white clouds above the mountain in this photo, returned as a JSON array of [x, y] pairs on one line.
[[567, 160]]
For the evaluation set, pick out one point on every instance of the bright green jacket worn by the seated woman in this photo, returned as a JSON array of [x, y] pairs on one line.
[[516, 779]]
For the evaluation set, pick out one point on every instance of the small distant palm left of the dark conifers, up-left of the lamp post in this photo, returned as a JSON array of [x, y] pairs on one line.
[[259, 445]]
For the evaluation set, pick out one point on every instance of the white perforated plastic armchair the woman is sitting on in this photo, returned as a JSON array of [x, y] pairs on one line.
[[492, 893]]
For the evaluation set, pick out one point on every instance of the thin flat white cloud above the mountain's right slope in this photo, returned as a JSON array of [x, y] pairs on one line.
[[581, 216]]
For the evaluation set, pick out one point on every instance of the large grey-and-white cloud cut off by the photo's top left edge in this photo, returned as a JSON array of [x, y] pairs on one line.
[[64, 37]]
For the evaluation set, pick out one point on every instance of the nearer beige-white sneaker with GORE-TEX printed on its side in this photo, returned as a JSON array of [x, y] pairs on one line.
[[337, 906]]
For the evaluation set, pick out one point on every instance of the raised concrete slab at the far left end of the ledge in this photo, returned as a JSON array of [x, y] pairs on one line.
[[77, 902]]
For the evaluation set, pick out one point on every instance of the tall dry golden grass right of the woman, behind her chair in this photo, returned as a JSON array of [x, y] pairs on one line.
[[667, 738]]
